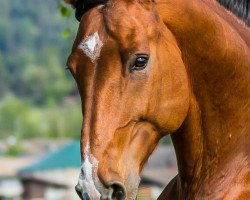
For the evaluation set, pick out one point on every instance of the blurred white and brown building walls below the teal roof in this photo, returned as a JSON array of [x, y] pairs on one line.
[[50, 184]]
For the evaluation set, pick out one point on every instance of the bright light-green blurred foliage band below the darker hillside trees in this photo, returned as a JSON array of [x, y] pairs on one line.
[[23, 120]]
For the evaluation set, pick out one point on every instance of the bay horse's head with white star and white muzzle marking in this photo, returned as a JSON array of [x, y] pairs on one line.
[[134, 90]]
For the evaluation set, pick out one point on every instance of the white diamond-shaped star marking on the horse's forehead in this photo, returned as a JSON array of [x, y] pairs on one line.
[[91, 46]]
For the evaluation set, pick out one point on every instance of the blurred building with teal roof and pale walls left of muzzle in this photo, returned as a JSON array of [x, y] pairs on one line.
[[53, 176]]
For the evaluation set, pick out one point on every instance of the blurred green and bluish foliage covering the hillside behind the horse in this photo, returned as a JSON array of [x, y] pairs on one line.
[[34, 87]]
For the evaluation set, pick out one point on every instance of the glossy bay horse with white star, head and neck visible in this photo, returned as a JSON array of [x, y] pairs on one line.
[[148, 68]]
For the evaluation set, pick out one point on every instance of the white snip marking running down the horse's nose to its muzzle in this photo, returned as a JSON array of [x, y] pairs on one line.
[[88, 175]]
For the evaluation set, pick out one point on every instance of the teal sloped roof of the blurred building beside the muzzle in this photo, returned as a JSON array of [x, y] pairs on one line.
[[66, 157]]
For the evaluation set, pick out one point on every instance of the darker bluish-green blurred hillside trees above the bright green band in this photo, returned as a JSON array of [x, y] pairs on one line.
[[32, 50]]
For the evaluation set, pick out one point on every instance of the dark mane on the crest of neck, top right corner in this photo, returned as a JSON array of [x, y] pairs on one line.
[[241, 8]]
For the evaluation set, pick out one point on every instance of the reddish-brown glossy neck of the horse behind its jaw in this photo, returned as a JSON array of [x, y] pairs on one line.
[[217, 60]]
